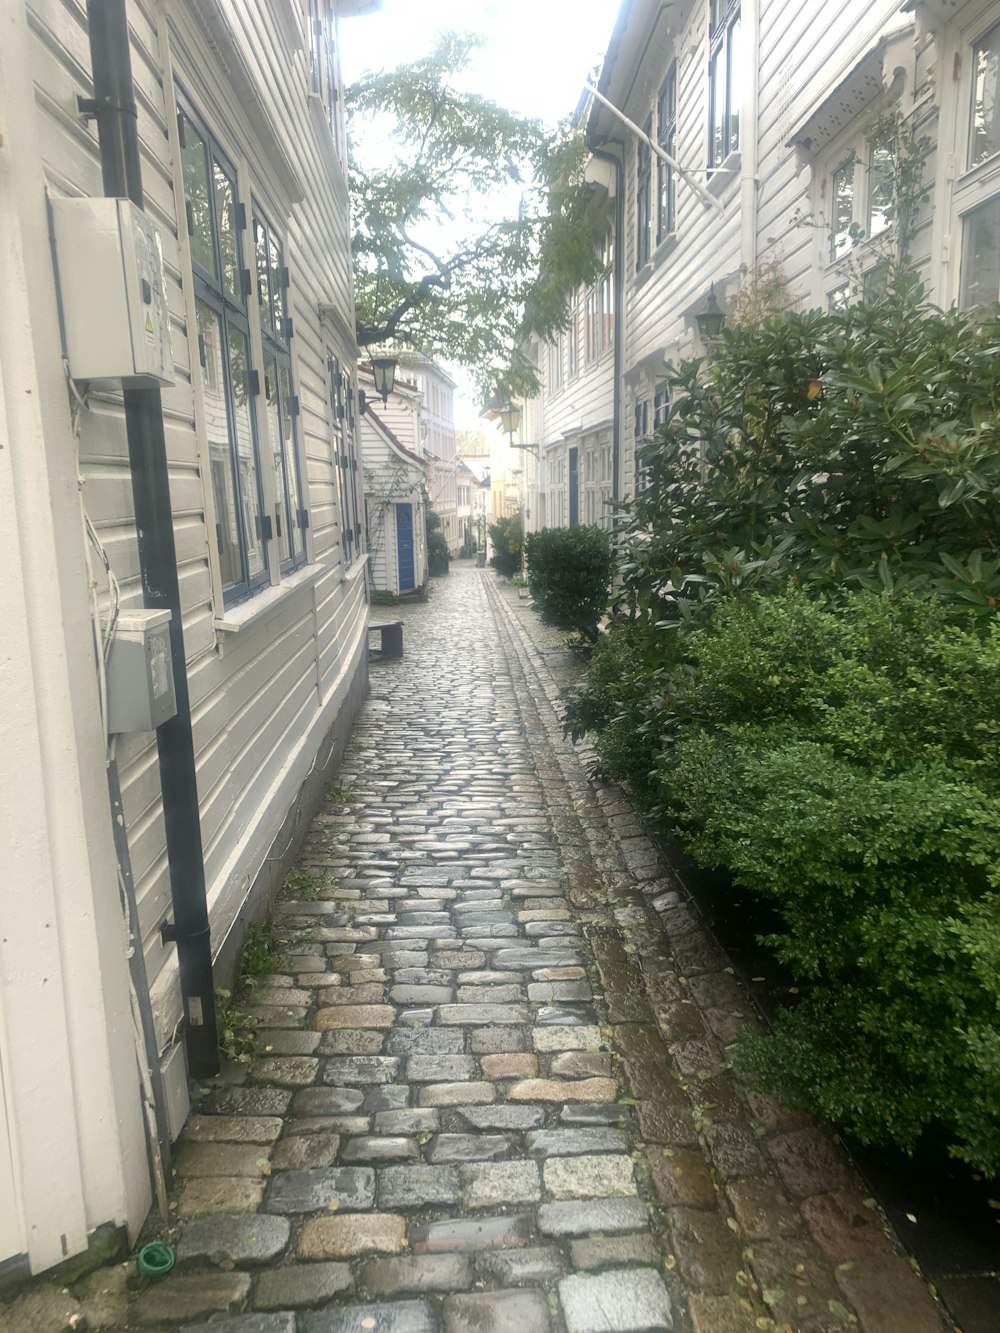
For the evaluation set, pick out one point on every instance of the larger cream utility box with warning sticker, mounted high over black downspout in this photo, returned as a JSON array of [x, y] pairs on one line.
[[114, 293]]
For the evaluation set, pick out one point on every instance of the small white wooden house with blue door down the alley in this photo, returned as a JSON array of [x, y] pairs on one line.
[[397, 487]]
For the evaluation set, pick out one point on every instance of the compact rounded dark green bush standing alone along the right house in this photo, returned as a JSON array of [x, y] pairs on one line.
[[570, 575]]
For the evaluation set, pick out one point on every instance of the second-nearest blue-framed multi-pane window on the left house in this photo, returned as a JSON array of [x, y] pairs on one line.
[[281, 405]]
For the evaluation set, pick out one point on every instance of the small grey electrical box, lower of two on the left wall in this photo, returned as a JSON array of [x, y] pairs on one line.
[[141, 672]]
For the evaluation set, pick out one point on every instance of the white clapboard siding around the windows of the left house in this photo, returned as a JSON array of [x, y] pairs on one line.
[[262, 699]]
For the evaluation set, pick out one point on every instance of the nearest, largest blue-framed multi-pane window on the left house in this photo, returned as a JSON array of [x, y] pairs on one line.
[[217, 227]]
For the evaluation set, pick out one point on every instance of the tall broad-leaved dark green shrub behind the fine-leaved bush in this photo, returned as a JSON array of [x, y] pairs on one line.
[[859, 449]]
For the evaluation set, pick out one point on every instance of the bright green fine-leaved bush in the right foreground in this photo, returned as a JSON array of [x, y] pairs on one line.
[[845, 764]]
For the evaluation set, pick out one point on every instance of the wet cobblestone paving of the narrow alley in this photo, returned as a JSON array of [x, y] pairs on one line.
[[493, 1094]]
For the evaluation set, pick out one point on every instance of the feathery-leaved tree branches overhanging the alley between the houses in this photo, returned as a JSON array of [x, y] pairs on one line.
[[475, 226]]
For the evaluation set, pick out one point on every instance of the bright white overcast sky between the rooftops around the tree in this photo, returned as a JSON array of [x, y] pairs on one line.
[[535, 61]]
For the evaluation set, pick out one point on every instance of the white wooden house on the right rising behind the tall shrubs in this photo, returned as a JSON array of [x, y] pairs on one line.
[[769, 111]]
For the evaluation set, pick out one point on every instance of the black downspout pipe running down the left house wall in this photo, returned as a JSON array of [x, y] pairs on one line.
[[118, 127]]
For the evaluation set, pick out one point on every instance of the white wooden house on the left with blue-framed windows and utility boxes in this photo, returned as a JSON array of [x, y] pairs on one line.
[[242, 157]]
